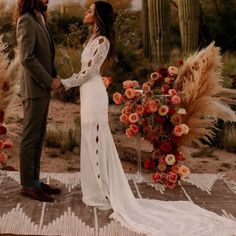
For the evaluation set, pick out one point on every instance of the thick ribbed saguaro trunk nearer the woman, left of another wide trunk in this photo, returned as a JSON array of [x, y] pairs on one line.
[[159, 25]]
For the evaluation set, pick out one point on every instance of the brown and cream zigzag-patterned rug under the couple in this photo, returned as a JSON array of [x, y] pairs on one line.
[[70, 217]]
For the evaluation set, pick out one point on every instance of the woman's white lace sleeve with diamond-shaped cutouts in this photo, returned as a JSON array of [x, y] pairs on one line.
[[98, 55]]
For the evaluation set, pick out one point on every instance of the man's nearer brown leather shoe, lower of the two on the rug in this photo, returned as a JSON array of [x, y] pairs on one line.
[[38, 194]]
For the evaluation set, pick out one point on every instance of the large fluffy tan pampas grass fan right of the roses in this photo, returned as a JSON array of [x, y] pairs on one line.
[[203, 95]]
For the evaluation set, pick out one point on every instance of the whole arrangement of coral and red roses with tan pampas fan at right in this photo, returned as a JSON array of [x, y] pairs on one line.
[[175, 107]]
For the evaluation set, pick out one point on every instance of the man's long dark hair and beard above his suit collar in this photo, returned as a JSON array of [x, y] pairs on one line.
[[26, 6]]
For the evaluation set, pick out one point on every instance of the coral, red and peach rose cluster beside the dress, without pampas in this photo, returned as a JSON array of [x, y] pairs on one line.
[[155, 112]]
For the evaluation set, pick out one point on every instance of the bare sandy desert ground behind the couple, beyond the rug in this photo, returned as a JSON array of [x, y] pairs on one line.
[[62, 114]]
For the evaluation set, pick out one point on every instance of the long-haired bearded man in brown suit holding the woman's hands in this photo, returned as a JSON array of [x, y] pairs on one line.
[[39, 77]]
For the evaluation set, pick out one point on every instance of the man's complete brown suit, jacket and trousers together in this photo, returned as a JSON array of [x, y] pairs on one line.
[[37, 54]]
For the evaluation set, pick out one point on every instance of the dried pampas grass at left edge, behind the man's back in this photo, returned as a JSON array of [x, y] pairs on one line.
[[8, 74]]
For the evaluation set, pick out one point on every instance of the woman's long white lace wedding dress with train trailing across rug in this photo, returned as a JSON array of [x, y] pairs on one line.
[[104, 184]]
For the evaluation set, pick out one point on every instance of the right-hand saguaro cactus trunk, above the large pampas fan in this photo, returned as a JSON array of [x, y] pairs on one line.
[[189, 23]]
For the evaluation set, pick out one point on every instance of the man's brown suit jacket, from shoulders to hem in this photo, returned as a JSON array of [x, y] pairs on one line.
[[37, 53]]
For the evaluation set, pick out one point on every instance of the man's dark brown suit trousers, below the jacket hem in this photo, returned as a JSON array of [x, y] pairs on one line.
[[34, 129]]
